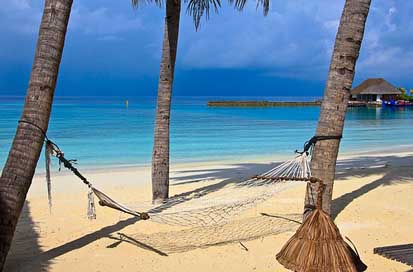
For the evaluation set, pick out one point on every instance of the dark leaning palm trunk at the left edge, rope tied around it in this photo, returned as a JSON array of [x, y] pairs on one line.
[[18, 172]]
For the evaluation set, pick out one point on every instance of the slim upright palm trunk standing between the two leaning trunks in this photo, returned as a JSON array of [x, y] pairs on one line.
[[160, 156]]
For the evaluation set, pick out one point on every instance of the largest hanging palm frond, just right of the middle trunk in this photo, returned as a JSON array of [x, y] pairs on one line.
[[197, 8]]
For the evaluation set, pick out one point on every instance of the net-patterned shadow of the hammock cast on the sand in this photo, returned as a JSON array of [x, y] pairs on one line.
[[233, 231]]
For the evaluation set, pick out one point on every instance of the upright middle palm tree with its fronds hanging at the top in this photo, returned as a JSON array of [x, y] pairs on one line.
[[160, 154]]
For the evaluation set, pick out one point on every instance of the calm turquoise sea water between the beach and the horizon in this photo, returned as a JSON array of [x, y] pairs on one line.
[[101, 131]]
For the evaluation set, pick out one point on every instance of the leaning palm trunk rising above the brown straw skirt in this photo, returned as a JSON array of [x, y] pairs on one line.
[[337, 93]]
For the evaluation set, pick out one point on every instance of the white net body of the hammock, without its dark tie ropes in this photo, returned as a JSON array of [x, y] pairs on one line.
[[213, 208]]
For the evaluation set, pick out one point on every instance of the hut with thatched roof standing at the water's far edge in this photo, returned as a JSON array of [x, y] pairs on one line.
[[374, 90]]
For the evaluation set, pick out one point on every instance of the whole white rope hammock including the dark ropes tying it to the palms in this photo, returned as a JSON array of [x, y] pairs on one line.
[[193, 210]]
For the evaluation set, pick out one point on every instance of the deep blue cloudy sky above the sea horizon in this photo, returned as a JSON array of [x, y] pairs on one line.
[[112, 49]]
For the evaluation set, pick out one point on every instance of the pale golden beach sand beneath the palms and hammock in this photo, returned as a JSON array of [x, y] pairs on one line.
[[373, 196]]
